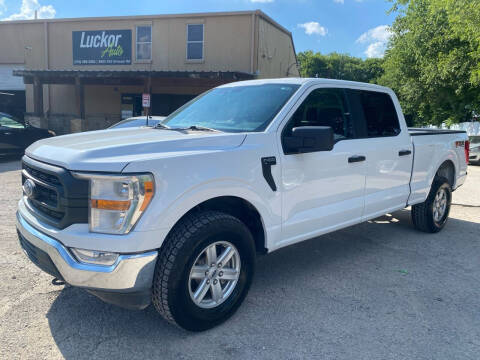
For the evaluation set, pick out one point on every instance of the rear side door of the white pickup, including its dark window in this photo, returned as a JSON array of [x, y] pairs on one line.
[[388, 151]]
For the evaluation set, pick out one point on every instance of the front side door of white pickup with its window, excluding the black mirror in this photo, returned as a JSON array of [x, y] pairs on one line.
[[323, 190]]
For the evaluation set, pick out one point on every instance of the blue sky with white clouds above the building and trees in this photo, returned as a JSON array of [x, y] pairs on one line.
[[355, 27]]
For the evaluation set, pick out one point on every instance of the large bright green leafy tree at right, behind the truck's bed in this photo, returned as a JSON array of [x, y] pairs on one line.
[[432, 61]]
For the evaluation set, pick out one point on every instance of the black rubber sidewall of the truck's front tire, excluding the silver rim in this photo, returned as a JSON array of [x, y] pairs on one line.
[[186, 313]]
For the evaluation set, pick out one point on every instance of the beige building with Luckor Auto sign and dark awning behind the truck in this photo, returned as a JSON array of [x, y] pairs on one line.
[[88, 73]]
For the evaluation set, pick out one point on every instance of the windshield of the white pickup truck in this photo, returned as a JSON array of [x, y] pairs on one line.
[[233, 109]]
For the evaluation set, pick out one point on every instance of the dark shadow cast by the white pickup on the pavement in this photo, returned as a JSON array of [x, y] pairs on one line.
[[296, 287]]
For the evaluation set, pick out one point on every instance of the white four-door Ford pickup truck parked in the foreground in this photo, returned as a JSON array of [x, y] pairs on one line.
[[176, 214]]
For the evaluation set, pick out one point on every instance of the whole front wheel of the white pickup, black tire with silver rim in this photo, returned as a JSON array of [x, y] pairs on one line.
[[192, 288]]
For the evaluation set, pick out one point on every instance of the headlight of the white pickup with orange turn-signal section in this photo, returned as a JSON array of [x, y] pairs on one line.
[[117, 201]]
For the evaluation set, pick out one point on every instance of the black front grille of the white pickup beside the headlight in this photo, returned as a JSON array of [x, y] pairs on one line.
[[58, 199]]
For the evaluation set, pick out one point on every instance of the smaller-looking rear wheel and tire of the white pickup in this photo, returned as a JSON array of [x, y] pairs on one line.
[[432, 215]]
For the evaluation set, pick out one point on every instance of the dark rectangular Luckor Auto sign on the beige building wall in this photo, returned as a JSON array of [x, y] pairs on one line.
[[102, 47]]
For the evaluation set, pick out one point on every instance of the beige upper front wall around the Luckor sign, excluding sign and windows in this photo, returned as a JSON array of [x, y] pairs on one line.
[[226, 43]]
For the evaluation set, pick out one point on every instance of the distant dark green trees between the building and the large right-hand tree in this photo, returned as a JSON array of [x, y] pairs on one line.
[[339, 66]]
